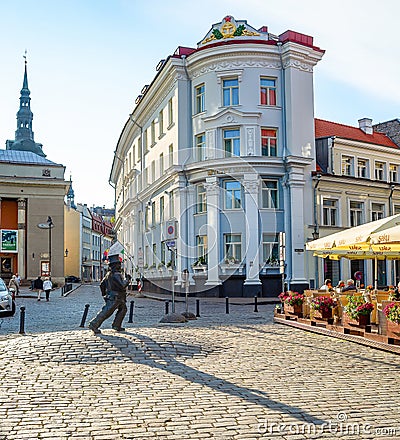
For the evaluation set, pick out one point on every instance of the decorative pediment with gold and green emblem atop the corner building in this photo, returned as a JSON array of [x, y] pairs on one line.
[[230, 28]]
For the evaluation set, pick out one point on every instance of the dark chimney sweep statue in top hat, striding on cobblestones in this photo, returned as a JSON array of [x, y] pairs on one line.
[[113, 288]]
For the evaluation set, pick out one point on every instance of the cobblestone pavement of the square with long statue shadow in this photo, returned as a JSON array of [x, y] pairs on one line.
[[236, 376]]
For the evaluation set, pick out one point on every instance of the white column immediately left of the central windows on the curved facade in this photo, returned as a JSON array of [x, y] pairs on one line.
[[213, 230]]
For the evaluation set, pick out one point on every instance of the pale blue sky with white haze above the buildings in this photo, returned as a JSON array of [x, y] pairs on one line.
[[89, 59]]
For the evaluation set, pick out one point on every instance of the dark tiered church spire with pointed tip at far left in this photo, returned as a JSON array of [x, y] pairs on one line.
[[24, 137]]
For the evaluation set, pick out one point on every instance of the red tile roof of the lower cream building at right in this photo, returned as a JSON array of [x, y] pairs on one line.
[[327, 128]]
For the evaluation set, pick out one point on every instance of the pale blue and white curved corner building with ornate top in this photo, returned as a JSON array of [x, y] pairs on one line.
[[215, 162]]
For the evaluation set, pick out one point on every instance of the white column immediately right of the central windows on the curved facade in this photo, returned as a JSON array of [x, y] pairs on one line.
[[251, 187]]
